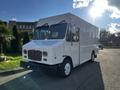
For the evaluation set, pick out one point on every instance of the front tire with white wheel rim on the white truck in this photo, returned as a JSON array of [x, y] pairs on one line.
[[65, 68]]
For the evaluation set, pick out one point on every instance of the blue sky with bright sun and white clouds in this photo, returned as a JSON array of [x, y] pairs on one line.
[[102, 13]]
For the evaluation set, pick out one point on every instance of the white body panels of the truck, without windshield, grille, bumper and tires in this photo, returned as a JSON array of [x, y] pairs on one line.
[[58, 49]]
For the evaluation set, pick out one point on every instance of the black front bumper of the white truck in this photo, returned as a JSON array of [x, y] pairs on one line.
[[37, 66]]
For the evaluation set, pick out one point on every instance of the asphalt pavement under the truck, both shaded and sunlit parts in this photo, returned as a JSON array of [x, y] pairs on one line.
[[103, 74]]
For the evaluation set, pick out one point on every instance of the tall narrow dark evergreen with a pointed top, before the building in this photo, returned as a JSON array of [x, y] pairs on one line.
[[15, 42]]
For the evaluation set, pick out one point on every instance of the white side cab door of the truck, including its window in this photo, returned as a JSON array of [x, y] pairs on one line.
[[73, 40]]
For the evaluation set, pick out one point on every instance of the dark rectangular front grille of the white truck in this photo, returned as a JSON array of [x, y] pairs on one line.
[[35, 55]]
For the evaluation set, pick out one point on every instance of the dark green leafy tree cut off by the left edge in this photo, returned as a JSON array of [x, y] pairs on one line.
[[3, 35]]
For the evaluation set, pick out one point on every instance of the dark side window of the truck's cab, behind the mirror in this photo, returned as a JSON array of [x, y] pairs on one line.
[[73, 34]]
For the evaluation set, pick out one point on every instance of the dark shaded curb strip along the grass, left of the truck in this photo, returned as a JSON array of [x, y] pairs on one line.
[[13, 71]]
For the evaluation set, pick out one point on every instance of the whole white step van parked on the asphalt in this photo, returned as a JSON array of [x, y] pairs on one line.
[[61, 42]]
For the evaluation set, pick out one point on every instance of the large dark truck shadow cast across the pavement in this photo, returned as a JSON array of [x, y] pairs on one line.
[[85, 77]]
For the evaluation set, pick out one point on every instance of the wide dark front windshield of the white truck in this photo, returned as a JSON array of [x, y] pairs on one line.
[[56, 31]]
